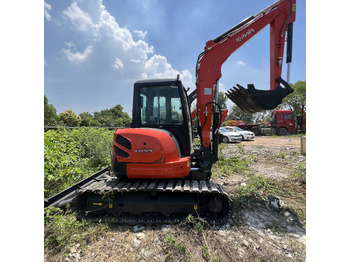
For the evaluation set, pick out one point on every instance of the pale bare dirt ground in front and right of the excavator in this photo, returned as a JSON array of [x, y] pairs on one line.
[[255, 232]]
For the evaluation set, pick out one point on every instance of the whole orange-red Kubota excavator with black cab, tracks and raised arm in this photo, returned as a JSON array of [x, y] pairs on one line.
[[157, 175]]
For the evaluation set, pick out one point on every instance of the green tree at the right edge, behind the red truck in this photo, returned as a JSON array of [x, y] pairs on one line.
[[296, 102]]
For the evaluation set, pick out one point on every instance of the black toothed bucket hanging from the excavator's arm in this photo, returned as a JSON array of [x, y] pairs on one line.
[[251, 100]]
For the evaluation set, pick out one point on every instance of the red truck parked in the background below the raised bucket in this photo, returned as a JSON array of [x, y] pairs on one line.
[[282, 123]]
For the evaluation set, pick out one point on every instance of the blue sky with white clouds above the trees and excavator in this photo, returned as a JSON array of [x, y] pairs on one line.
[[95, 50]]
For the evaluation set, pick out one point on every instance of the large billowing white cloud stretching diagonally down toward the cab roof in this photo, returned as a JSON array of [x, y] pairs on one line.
[[114, 48]]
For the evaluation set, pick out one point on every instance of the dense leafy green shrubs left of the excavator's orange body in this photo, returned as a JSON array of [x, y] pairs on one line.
[[70, 156]]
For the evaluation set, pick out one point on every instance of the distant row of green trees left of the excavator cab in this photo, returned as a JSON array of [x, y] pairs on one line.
[[113, 117]]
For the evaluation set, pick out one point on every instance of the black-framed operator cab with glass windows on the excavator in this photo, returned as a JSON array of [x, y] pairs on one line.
[[162, 104]]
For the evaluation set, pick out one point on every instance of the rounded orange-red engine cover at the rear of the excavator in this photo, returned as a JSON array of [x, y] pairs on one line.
[[147, 153]]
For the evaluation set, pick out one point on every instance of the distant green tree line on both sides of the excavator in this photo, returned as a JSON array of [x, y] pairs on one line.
[[115, 117]]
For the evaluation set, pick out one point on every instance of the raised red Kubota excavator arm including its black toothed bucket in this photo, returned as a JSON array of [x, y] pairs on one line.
[[280, 17]]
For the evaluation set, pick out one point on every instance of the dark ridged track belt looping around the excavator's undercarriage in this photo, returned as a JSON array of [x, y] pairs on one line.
[[113, 185]]
